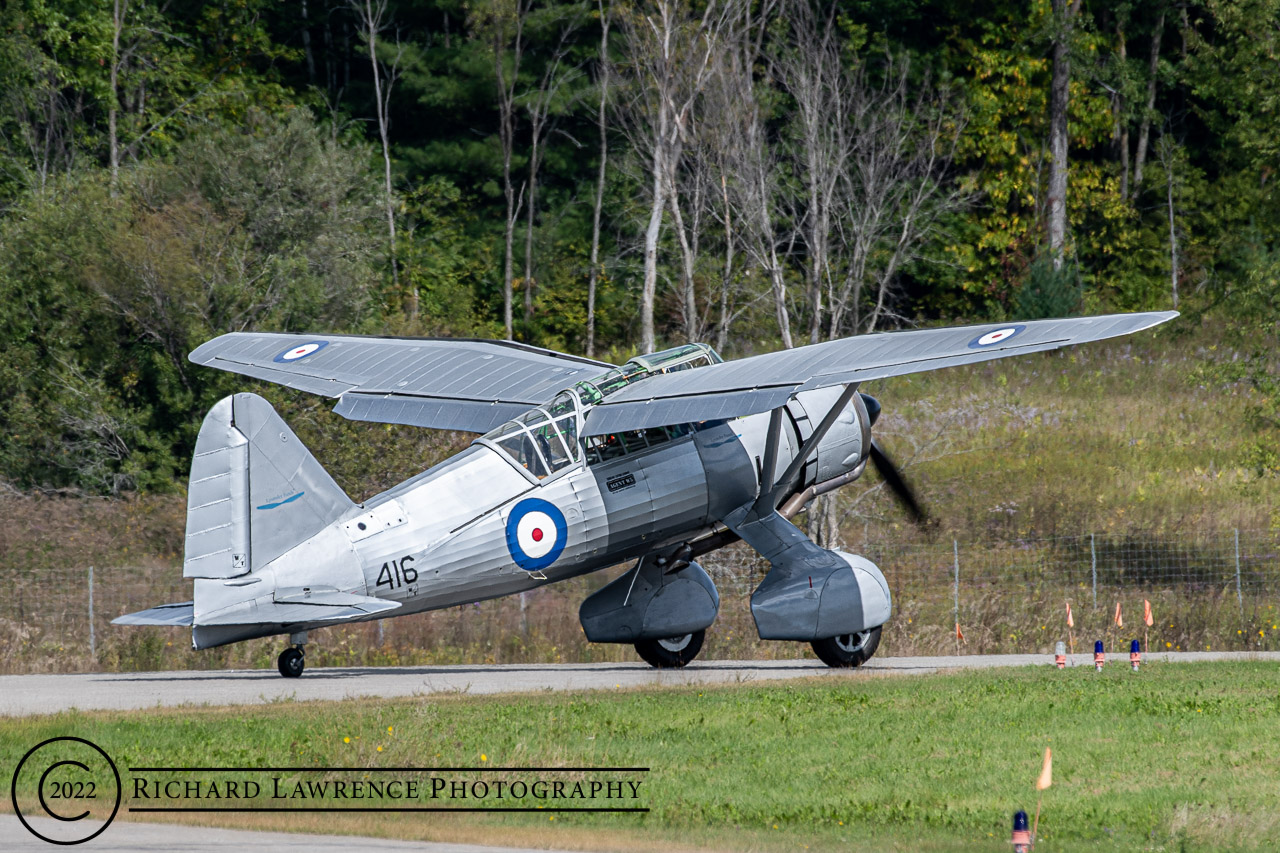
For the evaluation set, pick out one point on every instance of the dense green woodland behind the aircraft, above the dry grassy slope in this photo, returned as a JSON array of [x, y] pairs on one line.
[[170, 172]]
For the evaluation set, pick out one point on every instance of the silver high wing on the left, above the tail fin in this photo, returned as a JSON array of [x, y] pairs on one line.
[[444, 384]]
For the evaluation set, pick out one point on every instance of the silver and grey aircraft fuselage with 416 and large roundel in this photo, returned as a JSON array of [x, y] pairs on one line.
[[481, 526]]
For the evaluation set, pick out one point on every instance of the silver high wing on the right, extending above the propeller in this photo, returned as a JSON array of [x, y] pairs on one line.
[[765, 382]]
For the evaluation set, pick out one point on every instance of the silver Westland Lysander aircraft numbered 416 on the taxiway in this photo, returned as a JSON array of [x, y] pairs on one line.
[[580, 466]]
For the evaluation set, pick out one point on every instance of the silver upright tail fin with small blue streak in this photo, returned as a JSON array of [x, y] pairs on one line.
[[255, 491]]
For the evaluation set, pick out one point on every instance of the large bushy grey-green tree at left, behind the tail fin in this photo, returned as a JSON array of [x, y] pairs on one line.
[[272, 226]]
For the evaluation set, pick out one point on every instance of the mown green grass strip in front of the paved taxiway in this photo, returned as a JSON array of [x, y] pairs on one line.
[[1173, 758]]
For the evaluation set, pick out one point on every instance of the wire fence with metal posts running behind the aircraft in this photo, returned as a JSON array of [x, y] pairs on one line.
[[1218, 592]]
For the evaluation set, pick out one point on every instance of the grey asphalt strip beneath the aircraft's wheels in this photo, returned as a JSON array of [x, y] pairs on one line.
[[33, 695]]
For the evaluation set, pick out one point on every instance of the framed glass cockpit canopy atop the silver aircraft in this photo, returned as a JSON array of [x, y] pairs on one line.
[[545, 440]]
